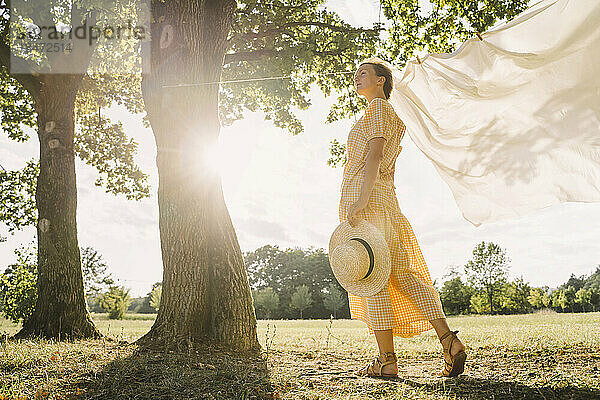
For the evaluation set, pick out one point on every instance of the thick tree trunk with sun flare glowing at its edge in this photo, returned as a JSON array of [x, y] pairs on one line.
[[205, 296]]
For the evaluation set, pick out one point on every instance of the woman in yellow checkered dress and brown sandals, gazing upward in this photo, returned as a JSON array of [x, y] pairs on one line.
[[409, 304]]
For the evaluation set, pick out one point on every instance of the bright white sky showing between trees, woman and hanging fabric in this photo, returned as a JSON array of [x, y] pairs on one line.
[[280, 191]]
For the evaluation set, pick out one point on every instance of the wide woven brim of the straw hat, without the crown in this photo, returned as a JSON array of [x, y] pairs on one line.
[[380, 275]]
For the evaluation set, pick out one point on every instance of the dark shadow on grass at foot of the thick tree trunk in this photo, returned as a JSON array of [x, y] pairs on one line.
[[202, 374]]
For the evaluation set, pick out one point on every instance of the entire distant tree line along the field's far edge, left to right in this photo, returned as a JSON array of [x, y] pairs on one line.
[[298, 283]]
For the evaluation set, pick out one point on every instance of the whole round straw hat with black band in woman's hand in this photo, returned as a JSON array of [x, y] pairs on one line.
[[360, 258]]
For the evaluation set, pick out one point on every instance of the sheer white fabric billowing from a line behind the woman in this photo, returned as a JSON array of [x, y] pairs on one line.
[[512, 122]]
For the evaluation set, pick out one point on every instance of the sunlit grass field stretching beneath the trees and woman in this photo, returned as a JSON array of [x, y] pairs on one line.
[[534, 356]]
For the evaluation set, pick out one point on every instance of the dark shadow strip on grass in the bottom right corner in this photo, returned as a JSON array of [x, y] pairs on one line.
[[472, 388]]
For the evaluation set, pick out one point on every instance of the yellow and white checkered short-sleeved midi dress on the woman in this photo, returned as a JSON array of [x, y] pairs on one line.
[[409, 301]]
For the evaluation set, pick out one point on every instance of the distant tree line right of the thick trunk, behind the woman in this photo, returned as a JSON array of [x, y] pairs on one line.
[[296, 283]]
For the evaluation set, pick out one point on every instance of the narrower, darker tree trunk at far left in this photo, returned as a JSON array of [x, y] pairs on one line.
[[60, 310]]
